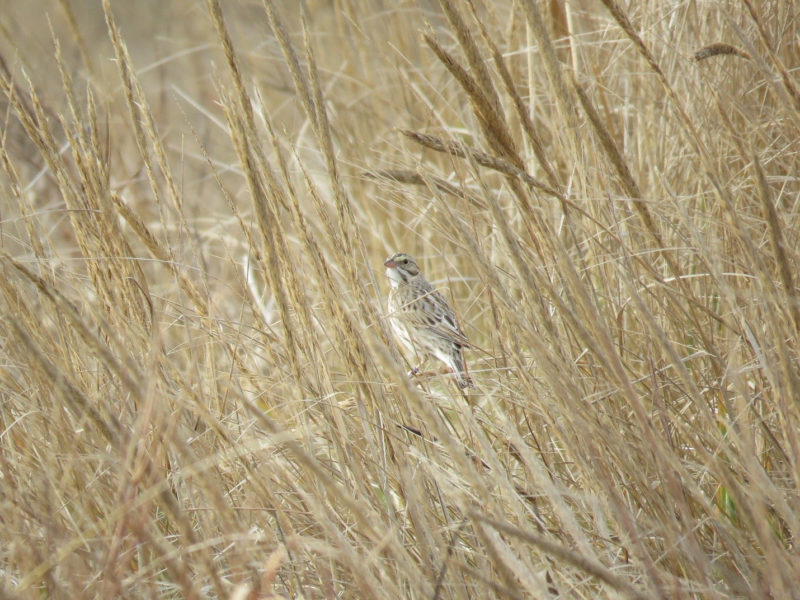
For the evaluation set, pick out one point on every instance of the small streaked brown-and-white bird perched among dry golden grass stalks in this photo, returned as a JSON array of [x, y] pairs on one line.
[[422, 319]]
